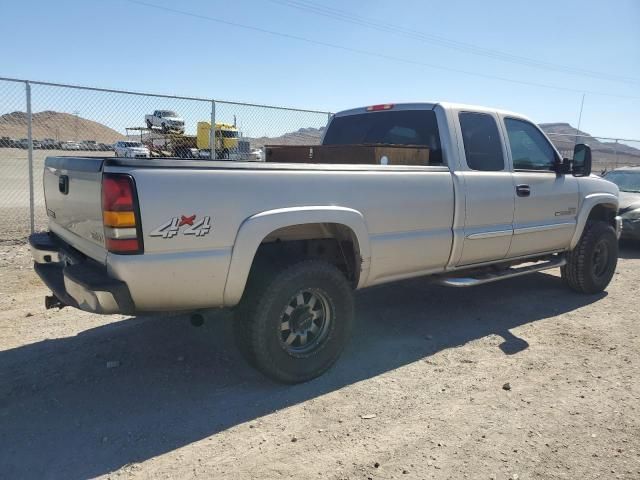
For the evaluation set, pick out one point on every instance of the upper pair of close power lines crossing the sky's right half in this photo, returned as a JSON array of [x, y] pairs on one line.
[[344, 16]]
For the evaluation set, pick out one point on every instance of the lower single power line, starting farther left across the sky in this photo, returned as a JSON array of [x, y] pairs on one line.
[[368, 52]]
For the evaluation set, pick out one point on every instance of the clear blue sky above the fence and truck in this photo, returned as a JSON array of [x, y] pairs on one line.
[[122, 44]]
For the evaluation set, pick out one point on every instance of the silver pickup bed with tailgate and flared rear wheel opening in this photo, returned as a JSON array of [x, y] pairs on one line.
[[407, 212]]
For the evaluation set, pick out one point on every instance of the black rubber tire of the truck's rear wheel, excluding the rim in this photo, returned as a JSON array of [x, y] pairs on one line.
[[257, 325]]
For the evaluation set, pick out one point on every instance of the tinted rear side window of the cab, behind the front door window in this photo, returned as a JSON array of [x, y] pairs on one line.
[[482, 145]]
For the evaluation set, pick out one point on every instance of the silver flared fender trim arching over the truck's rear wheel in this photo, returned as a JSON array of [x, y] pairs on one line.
[[257, 228]]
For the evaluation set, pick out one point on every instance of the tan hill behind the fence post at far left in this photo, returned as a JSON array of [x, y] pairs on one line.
[[57, 125]]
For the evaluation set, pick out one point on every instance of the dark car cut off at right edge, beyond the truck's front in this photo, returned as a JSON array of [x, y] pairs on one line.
[[628, 181]]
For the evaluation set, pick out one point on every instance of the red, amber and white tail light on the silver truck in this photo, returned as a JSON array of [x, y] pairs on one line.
[[120, 214]]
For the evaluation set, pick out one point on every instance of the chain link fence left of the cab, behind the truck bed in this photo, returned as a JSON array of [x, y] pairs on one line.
[[39, 119]]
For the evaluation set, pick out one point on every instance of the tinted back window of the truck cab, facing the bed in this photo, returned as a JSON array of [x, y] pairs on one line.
[[400, 127]]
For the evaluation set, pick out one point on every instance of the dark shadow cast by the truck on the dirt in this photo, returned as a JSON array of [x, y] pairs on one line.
[[64, 414]]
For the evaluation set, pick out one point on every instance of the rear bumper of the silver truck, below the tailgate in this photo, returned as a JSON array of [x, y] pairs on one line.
[[77, 281]]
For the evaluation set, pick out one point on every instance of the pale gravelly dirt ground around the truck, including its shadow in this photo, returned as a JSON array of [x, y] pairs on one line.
[[420, 392]]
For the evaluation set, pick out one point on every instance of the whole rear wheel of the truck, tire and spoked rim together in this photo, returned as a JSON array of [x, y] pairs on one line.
[[292, 325]]
